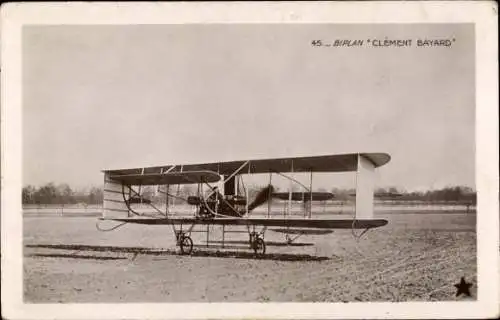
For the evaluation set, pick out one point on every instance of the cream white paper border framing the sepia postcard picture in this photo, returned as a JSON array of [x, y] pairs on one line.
[[483, 14]]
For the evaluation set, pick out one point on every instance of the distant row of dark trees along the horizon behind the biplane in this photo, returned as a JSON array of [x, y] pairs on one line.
[[52, 193]]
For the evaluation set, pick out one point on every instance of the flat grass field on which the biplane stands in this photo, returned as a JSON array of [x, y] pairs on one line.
[[416, 257]]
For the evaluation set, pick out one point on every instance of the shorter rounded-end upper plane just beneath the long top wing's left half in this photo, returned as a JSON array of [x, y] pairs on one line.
[[167, 178]]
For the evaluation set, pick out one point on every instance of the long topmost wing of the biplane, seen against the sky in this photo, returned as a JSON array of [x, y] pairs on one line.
[[323, 163]]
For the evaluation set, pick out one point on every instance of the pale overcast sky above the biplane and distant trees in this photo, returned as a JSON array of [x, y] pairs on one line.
[[107, 97]]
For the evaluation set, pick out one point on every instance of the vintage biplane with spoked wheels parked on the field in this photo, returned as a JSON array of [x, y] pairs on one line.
[[220, 200]]
